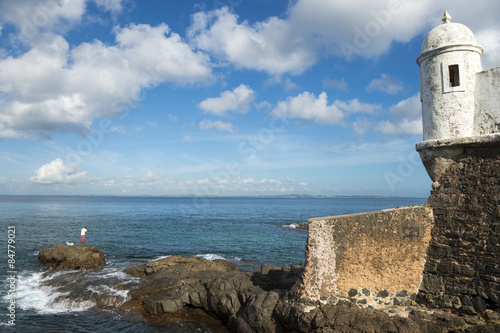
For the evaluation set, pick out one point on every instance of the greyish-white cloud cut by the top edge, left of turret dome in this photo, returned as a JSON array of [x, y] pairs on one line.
[[358, 27]]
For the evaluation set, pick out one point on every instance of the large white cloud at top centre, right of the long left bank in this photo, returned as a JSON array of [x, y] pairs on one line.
[[269, 46]]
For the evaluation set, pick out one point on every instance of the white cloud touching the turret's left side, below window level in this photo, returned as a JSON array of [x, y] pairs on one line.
[[405, 118]]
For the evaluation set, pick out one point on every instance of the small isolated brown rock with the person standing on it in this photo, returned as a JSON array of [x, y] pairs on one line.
[[60, 256]]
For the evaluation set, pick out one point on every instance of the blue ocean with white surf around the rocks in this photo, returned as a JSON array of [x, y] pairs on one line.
[[248, 232]]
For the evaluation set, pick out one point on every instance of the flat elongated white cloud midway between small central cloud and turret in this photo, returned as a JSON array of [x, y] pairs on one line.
[[307, 106]]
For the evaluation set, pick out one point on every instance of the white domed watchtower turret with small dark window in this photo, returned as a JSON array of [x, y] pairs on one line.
[[449, 60]]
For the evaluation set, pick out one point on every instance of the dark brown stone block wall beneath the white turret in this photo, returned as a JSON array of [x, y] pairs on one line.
[[462, 269]]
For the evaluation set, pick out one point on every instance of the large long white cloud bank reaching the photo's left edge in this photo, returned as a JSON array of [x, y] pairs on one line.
[[91, 80]]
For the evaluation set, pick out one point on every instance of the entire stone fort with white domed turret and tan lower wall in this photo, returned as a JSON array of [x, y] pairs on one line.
[[445, 254]]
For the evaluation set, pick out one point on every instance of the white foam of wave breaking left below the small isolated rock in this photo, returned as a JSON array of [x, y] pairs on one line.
[[34, 295]]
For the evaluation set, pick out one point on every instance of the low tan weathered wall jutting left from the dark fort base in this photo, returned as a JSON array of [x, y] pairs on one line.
[[372, 258]]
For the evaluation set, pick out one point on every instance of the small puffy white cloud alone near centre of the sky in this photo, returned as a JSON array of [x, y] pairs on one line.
[[237, 100]]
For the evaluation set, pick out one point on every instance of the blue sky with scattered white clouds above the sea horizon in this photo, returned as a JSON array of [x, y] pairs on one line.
[[222, 97]]
